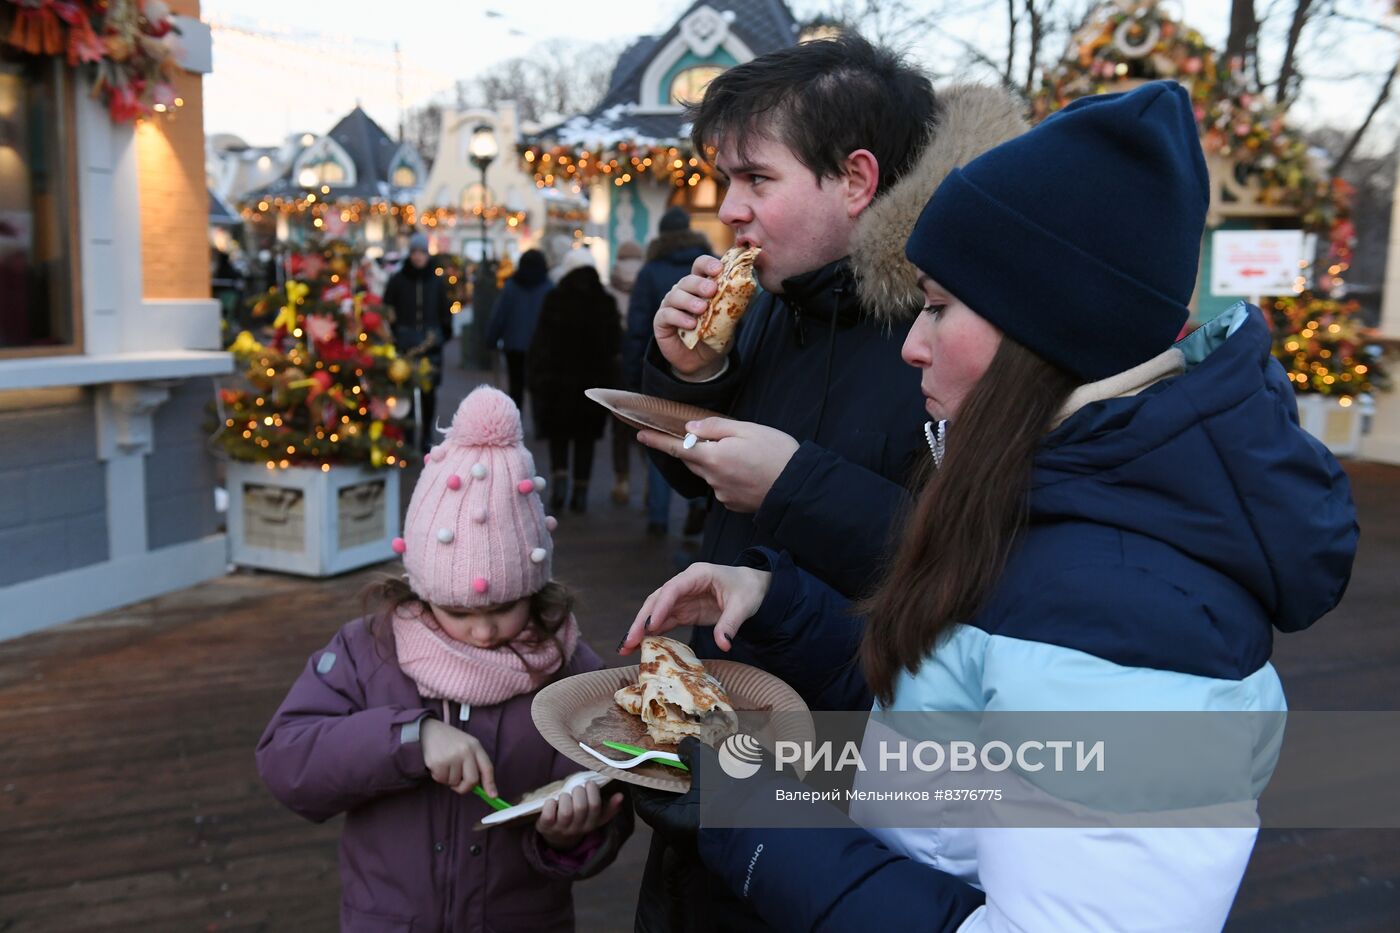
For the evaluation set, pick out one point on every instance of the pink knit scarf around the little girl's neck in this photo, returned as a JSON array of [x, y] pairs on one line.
[[447, 669]]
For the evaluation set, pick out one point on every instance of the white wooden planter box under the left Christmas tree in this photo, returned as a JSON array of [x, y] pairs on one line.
[[311, 522]]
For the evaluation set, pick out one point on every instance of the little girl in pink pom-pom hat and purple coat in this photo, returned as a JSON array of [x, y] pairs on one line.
[[409, 710]]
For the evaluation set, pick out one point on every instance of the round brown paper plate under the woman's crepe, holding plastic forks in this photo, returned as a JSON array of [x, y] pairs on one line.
[[582, 710]]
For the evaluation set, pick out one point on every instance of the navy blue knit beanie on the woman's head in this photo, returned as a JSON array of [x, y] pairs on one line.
[[1081, 239]]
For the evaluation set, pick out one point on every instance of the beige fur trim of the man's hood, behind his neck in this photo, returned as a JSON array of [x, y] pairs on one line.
[[971, 121]]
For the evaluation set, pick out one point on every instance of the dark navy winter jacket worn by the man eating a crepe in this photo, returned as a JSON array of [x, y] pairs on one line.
[[811, 364]]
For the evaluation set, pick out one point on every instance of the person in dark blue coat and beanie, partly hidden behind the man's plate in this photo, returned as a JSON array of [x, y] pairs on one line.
[[670, 257]]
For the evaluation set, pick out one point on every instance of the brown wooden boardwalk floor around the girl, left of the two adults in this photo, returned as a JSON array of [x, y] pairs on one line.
[[128, 792]]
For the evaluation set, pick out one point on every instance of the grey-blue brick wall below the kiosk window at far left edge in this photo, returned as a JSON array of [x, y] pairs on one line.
[[52, 485]]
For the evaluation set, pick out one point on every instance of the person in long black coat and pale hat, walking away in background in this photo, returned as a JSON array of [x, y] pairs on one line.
[[576, 348]]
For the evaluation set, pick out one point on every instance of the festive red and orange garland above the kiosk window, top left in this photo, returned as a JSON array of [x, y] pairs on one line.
[[127, 46]]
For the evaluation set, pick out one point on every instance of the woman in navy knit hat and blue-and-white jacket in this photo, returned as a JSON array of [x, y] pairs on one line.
[[1111, 522]]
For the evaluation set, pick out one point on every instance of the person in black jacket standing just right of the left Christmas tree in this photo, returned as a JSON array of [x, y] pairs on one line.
[[422, 320]]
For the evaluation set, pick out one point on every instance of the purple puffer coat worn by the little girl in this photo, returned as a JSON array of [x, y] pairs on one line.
[[346, 740]]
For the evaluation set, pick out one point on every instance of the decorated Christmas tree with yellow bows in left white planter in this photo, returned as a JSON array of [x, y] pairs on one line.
[[324, 386]]
